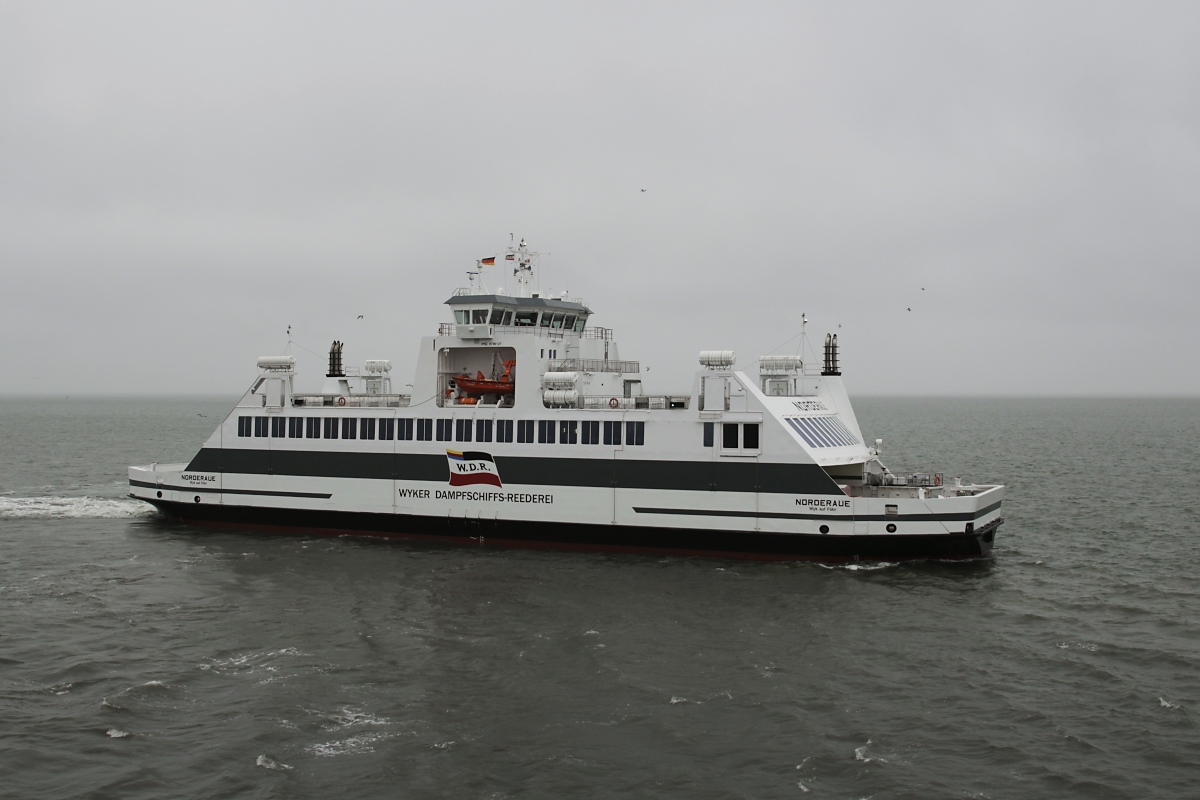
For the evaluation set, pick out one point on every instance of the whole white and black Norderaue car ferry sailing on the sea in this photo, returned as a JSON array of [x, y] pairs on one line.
[[526, 429]]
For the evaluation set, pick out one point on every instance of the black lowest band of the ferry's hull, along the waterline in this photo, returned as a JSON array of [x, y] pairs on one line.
[[639, 539]]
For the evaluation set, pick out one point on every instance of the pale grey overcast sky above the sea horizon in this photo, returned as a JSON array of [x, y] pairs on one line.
[[179, 183]]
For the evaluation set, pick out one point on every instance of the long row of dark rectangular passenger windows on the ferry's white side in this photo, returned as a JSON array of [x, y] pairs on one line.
[[568, 432]]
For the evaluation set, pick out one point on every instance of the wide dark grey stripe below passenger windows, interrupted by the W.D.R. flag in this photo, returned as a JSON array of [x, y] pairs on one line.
[[532, 471]]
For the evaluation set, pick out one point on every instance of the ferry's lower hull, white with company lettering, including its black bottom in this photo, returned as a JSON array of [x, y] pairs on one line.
[[709, 522]]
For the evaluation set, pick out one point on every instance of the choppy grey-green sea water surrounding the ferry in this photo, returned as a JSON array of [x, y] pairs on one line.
[[146, 659]]
